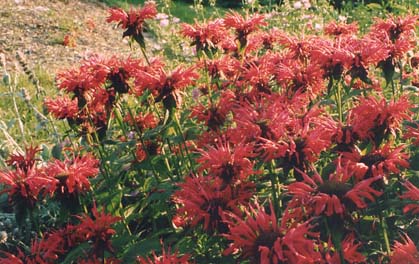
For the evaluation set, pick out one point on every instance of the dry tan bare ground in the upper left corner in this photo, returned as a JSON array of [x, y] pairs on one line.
[[56, 34]]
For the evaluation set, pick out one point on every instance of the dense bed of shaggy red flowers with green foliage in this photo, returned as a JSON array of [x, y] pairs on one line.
[[267, 148]]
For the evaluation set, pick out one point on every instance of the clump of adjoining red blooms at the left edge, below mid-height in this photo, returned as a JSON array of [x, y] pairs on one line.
[[30, 181]]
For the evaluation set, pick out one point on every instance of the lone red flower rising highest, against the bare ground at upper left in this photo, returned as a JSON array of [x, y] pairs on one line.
[[133, 21]]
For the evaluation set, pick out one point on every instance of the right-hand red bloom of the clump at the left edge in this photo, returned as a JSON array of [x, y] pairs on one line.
[[73, 174]]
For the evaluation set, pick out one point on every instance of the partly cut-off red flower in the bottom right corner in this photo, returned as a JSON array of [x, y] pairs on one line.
[[405, 252]]
